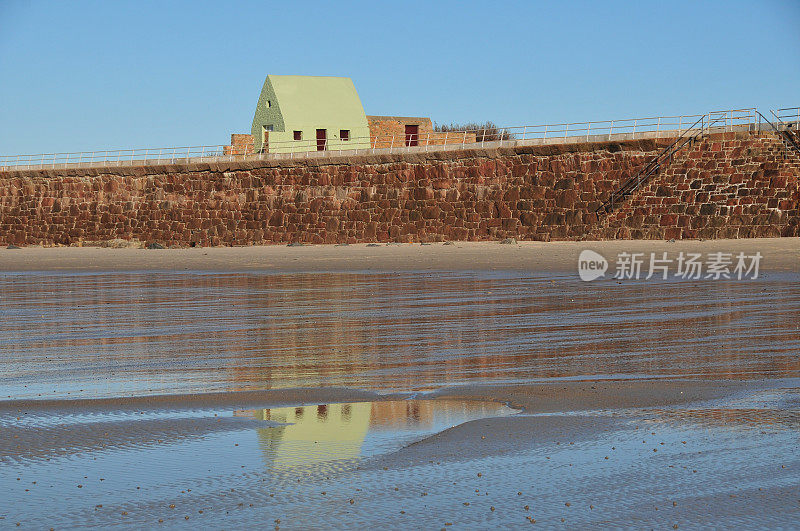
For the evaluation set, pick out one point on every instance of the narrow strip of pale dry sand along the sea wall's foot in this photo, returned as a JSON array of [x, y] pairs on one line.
[[780, 254]]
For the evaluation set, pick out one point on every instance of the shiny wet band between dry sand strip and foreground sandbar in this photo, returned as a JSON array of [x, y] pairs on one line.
[[121, 334]]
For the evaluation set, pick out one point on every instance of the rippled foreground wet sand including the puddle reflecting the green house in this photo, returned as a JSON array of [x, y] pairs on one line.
[[595, 453]]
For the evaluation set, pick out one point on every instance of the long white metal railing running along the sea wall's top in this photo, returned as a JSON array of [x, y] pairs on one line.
[[427, 141]]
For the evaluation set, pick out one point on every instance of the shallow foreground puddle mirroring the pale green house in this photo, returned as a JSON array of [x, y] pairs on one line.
[[110, 466]]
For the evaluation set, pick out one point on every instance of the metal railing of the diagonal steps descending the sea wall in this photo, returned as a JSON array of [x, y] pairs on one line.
[[707, 123]]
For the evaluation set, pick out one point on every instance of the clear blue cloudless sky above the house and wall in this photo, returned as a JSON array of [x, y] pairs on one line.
[[84, 75]]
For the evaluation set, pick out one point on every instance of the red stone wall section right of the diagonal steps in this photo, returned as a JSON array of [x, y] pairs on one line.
[[726, 186]]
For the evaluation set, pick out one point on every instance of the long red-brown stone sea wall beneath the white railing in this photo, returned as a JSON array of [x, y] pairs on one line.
[[533, 192]]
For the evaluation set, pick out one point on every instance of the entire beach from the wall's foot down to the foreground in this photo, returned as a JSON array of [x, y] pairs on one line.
[[222, 387]]
